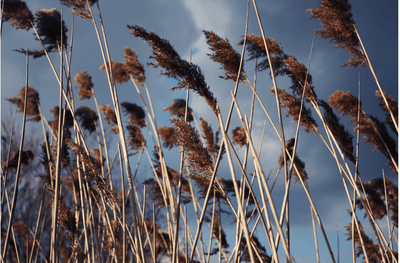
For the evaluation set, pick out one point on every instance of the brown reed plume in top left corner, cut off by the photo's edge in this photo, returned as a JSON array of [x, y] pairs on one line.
[[18, 14]]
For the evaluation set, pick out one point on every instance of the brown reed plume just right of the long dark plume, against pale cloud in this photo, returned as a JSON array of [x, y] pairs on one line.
[[224, 54]]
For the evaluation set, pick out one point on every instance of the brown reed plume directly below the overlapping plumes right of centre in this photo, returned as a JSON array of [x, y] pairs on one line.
[[293, 106]]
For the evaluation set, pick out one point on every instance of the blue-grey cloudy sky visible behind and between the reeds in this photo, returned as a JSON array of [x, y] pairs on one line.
[[182, 22]]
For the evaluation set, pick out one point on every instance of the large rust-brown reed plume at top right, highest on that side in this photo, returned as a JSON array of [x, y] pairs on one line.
[[338, 25]]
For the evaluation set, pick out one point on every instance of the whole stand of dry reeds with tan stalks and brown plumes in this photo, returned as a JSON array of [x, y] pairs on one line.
[[92, 202]]
